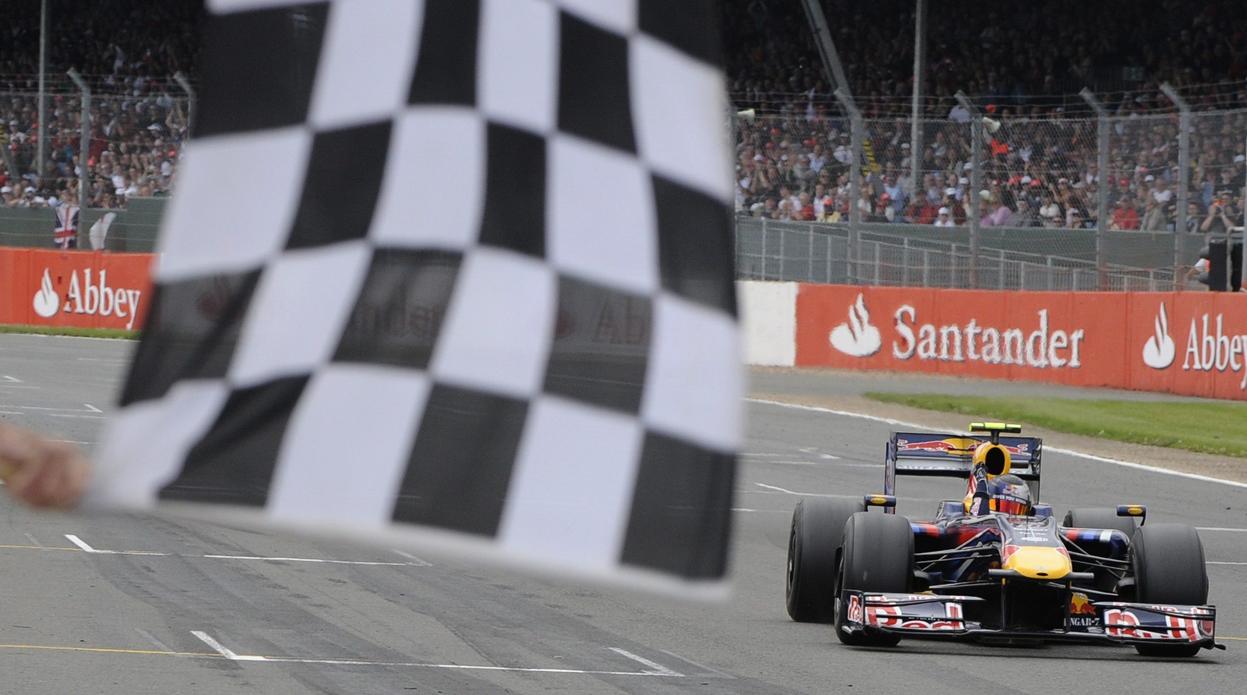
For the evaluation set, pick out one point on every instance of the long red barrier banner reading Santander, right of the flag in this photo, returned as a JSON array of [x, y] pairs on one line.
[[1185, 343]]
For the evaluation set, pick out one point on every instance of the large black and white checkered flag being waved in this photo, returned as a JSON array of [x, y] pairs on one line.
[[457, 265]]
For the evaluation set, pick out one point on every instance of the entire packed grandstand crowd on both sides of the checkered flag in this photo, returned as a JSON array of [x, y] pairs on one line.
[[1024, 63]]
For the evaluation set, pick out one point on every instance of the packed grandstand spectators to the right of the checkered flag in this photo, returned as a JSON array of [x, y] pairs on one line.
[[1041, 157]]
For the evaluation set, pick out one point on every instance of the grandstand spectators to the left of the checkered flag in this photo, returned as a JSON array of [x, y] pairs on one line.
[[128, 53]]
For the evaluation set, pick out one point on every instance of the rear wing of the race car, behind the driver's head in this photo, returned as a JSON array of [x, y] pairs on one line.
[[928, 454]]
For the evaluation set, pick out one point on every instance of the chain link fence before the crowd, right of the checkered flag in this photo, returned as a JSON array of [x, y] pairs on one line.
[[1115, 202]]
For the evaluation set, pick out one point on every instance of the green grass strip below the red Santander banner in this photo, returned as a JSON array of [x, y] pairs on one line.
[[1209, 429]]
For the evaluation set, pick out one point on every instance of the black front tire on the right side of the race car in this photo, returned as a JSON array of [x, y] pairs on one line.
[[1169, 570]]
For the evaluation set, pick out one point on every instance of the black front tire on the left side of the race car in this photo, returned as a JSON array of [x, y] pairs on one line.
[[879, 556]]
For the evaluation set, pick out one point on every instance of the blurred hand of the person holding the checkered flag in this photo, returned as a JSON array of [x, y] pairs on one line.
[[41, 472]]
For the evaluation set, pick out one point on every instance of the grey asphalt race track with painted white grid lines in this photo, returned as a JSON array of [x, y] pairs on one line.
[[123, 620]]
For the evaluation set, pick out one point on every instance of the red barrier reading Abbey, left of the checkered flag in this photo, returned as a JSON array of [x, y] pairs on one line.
[[82, 289]]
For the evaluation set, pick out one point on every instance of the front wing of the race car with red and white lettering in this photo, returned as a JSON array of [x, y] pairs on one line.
[[933, 616]]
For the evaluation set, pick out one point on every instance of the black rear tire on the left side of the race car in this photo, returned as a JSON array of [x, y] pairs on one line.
[[814, 542]]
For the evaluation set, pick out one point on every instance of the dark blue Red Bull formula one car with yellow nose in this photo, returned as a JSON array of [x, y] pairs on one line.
[[1004, 573]]
